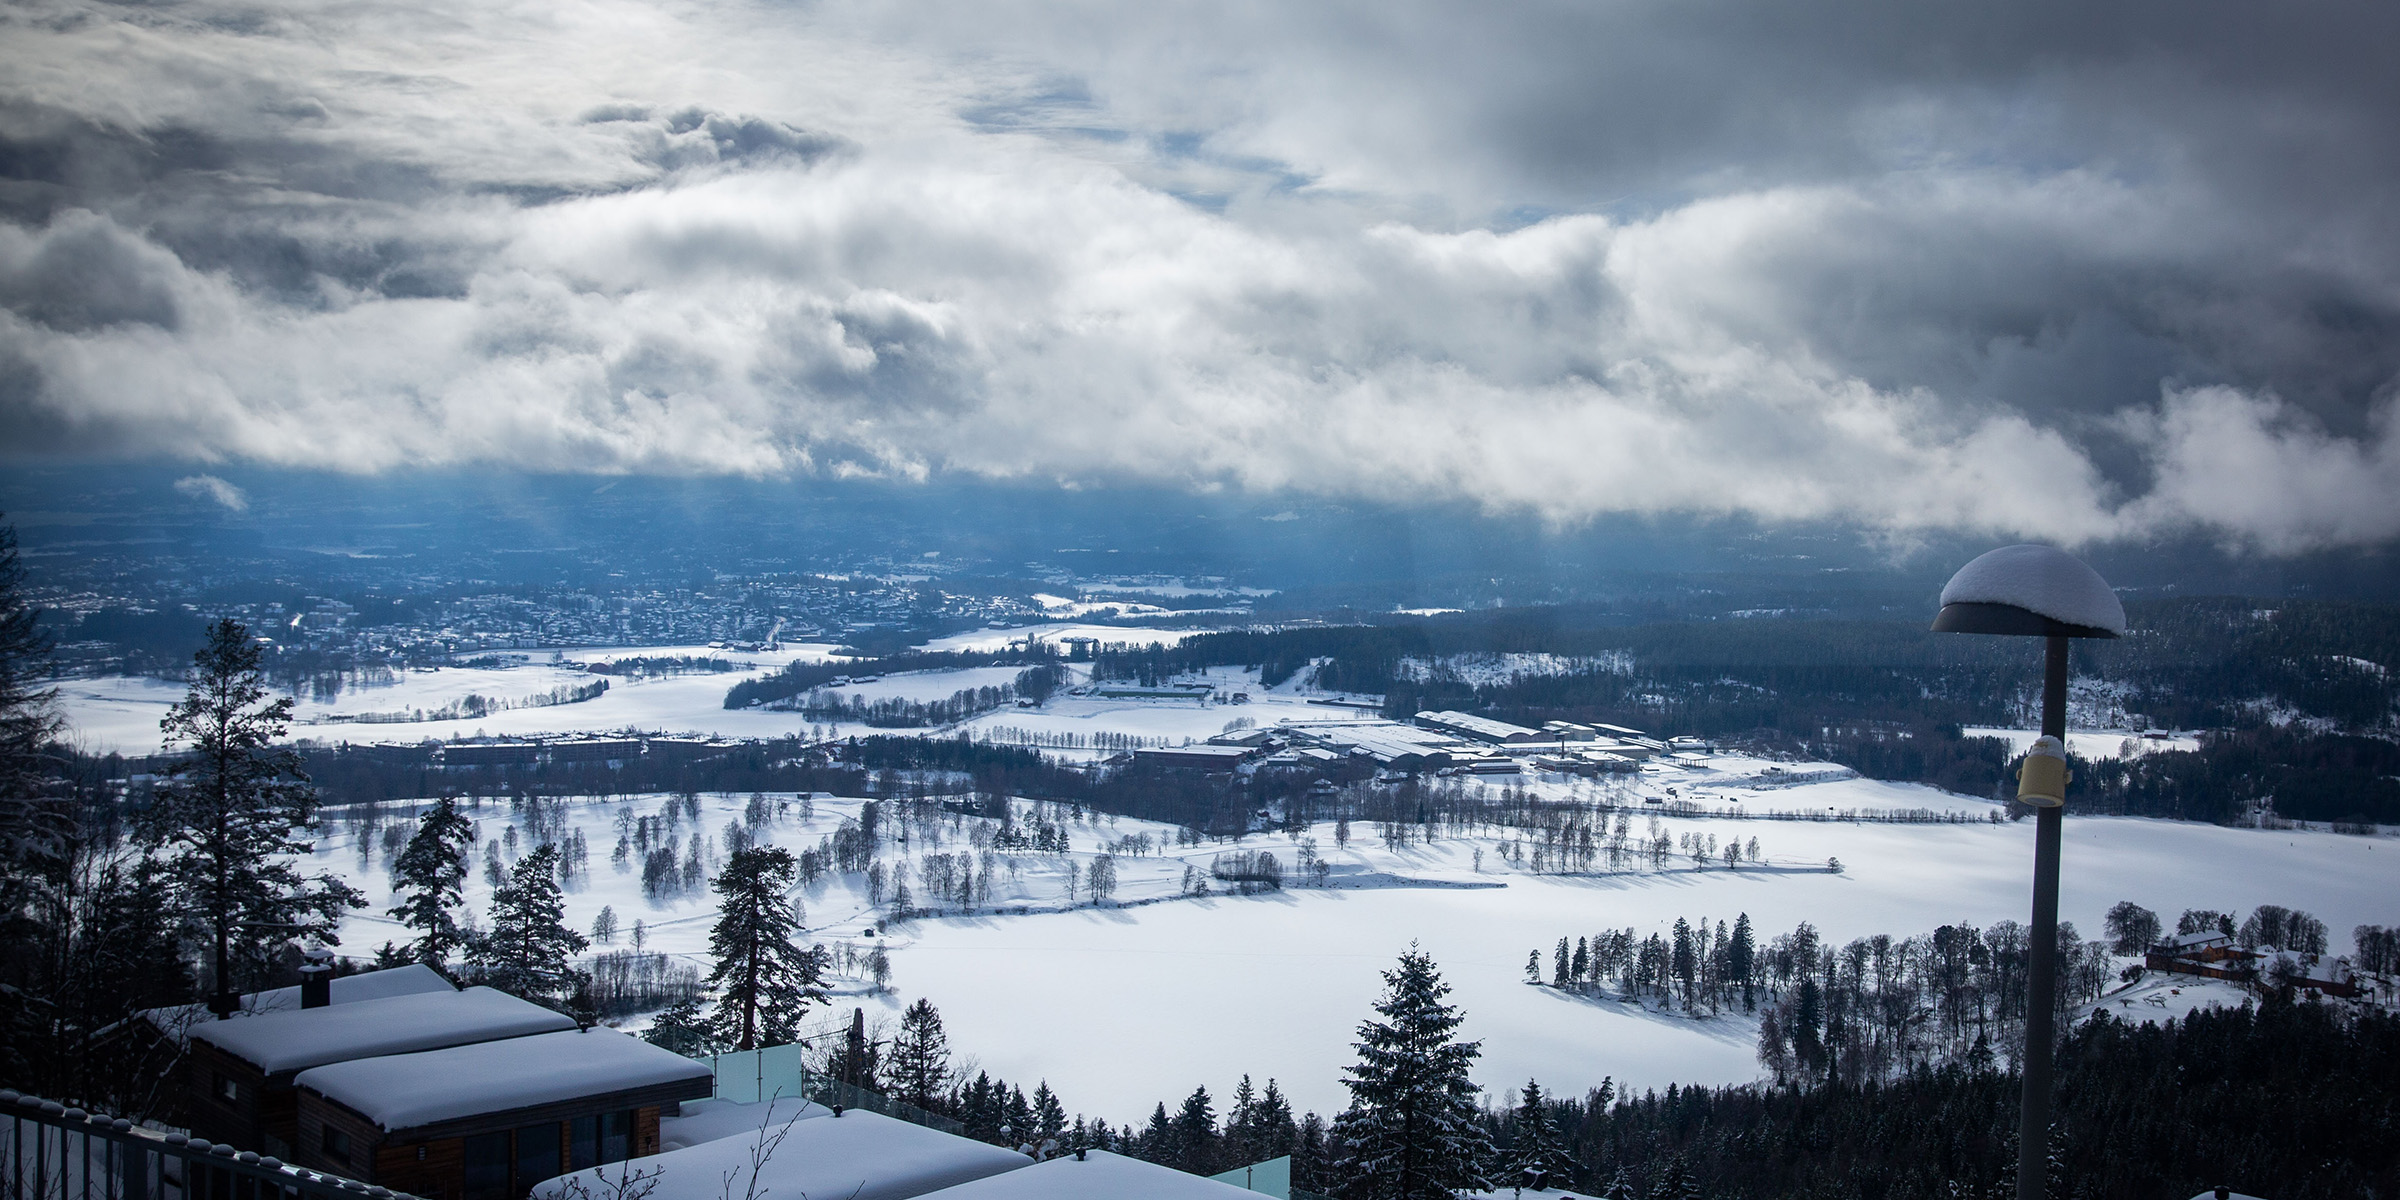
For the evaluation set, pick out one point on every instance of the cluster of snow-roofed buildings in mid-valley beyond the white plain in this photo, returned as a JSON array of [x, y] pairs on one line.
[[1434, 743]]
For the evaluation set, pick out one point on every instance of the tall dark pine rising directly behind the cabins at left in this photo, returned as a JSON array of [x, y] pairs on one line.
[[234, 822]]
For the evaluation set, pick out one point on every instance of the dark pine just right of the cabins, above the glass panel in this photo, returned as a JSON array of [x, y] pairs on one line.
[[764, 980]]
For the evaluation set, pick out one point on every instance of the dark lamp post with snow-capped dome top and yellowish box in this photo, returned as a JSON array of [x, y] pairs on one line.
[[2036, 592]]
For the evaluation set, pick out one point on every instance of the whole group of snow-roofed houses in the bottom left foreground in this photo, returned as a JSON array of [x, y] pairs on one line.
[[402, 1081]]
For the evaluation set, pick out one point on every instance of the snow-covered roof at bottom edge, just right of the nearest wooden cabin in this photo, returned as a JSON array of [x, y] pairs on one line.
[[858, 1156]]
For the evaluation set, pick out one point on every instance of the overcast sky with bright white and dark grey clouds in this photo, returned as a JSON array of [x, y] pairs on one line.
[[2070, 272]]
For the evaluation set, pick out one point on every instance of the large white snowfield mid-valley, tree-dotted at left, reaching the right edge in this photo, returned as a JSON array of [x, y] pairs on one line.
[[1134, 1004]]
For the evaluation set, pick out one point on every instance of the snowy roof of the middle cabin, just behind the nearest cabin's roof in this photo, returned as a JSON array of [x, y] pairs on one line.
[[304, 1038]]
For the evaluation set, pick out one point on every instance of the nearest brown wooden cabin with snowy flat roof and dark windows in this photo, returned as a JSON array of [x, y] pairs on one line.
[[491, 1120]]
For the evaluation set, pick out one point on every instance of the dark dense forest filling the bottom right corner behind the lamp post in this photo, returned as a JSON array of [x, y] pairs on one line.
[[2281, 1098]]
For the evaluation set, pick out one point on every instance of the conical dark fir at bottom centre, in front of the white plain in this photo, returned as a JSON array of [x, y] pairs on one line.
[[1412, 1129]]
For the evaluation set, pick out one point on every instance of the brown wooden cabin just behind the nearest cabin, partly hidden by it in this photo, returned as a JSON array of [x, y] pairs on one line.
[[239, 1076]]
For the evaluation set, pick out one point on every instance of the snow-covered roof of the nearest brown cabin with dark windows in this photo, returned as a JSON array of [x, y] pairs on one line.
[[409, 1091]]
